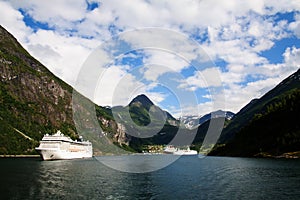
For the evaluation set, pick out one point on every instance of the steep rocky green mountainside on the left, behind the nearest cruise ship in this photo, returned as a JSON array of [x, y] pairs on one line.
[[35, 102]]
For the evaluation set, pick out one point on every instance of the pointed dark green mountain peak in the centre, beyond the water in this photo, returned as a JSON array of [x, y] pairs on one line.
[[145, 123]]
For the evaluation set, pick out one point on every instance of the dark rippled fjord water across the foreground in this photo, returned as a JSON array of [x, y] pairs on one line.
[[187, 178]]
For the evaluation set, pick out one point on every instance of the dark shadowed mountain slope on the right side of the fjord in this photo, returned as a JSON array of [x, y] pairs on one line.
[[266, 126]]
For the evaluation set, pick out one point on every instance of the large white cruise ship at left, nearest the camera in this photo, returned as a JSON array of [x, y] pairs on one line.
[[59, 146]]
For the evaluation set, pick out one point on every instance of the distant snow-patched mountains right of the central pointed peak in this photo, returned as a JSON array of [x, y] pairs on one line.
[[195, 121]]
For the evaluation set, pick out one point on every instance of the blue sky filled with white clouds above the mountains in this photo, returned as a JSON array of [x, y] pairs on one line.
[[190, 57]]
